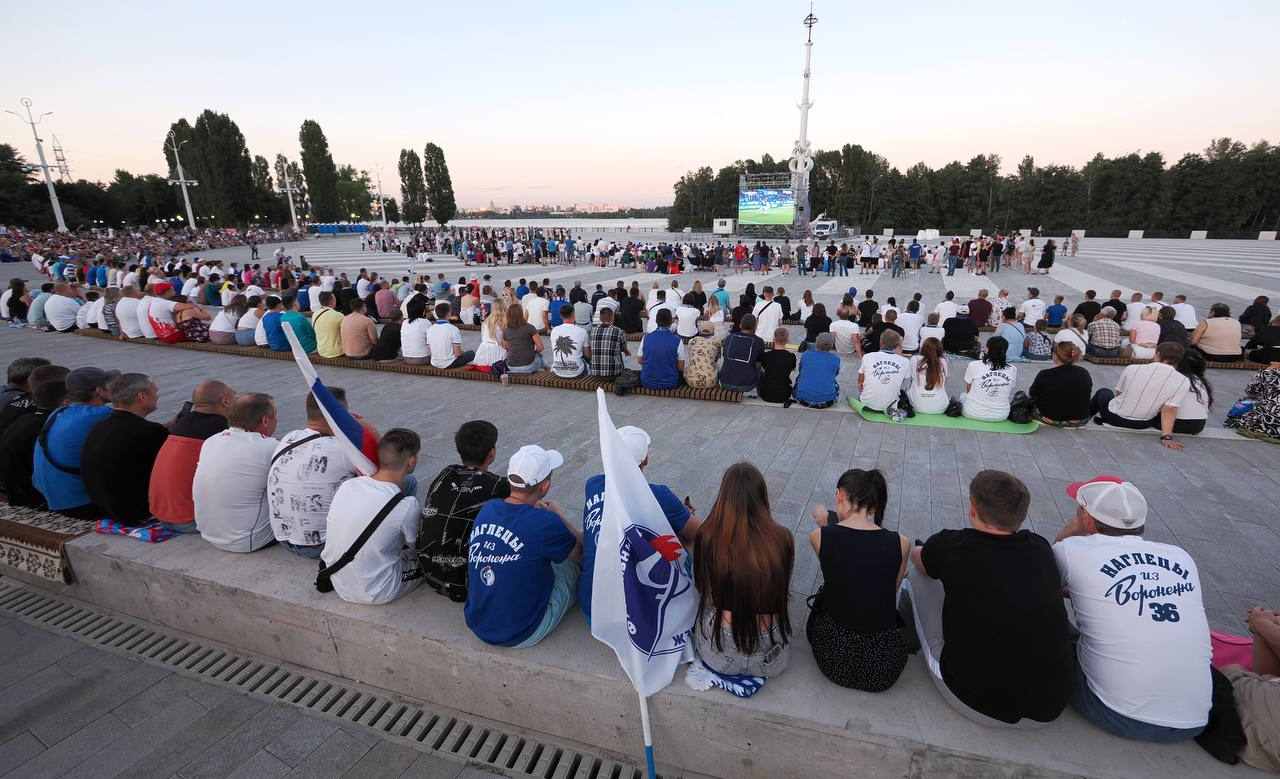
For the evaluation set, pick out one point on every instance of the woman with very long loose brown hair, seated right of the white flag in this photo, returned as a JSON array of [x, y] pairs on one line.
[[743, 563]]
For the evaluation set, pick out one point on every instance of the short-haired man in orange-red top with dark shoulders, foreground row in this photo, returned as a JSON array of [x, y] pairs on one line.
[[176, 466]]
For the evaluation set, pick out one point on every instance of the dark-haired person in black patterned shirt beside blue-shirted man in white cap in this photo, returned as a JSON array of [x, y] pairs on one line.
[[451, 507]]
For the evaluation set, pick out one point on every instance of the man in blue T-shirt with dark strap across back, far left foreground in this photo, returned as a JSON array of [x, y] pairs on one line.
[[57, 459]]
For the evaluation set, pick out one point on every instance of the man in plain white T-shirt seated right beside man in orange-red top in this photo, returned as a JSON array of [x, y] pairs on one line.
[[230, 489]]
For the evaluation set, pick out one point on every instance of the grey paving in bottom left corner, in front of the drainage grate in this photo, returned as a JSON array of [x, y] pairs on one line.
[[75, 711]]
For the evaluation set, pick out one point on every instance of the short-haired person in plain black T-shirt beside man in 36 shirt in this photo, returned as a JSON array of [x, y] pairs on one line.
[[989, 610]]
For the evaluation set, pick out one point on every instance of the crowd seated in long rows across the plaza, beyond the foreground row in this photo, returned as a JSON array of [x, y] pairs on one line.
[[698, 338]]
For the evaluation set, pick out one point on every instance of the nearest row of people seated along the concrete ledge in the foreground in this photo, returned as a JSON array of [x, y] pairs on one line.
[[1133, 659]]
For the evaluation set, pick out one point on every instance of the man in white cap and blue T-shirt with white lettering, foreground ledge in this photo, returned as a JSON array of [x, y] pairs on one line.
[[523, 561]]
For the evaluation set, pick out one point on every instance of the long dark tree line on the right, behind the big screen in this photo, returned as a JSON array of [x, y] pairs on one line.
[[1229, 190]]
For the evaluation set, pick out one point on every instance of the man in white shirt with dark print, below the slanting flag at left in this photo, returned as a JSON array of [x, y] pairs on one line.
[[307, 470]]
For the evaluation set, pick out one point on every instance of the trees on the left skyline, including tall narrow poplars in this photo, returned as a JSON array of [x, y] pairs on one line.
[[235, 187]]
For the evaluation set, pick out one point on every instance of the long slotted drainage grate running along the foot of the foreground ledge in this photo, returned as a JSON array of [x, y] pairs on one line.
[[445, 734]]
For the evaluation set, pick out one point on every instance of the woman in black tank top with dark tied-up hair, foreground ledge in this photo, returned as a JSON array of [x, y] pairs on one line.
[[854, 629]]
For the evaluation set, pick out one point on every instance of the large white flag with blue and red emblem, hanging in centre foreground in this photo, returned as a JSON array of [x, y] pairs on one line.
[[643, 599]]
